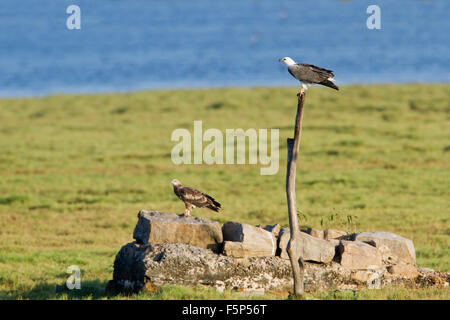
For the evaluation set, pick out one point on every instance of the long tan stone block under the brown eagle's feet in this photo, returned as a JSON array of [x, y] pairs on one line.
[[160, 227]]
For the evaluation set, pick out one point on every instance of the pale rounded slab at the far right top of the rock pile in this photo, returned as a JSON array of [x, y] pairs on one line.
[[400, 247]]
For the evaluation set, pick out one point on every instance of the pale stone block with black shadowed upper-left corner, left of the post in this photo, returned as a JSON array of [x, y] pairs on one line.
[[253, 241]]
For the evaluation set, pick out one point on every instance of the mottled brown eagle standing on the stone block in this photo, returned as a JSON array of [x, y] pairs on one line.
[[193, 198]]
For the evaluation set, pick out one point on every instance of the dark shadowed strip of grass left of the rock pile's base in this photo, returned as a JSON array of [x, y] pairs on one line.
[[91, 289]]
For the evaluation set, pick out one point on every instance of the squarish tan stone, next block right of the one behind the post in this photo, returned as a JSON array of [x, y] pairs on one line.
[[358, 255]]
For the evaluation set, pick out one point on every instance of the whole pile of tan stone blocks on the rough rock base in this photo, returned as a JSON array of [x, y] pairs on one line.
[[173, 249]]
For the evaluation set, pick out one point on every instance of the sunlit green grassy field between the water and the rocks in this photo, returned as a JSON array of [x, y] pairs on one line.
[[75, 170]]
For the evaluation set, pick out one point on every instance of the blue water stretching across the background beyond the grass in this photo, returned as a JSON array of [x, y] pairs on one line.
[[142, 44]]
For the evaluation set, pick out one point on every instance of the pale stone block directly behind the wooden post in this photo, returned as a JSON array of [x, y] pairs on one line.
[[311, 248]]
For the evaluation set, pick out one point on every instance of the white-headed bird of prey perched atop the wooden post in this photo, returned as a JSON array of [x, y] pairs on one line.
[[308, 74]]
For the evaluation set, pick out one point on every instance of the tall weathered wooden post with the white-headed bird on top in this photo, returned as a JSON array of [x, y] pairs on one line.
[[293, 146]]
